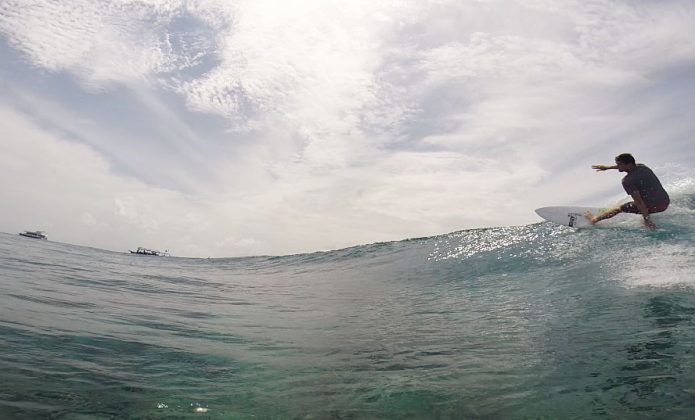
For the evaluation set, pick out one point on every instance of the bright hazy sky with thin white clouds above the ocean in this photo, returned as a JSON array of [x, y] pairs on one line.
[[265, 127]]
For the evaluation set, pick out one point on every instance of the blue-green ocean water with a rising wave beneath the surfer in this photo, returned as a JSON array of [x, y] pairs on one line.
[[522, 322]]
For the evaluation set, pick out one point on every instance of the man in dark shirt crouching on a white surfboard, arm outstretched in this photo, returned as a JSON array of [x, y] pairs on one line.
[[642, 185]]
